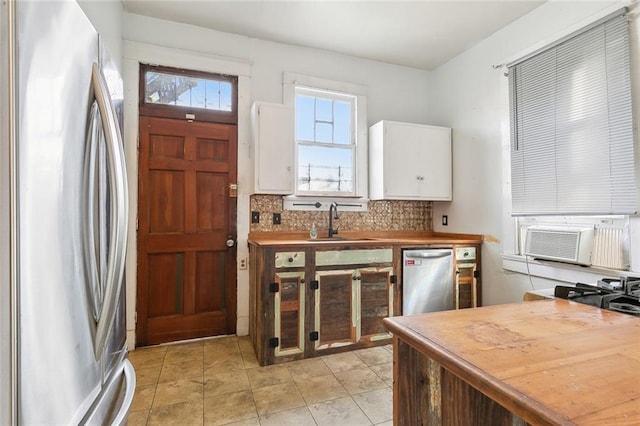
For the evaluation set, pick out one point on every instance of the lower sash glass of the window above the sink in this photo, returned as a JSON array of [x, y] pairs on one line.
[[325, 169]]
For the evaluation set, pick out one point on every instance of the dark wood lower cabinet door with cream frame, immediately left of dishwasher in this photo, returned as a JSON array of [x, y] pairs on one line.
[[375, 301]]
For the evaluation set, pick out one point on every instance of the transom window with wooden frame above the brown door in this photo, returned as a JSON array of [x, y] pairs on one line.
[[186, 94]]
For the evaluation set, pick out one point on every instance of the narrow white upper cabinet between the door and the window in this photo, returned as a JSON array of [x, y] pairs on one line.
[[273, 148]]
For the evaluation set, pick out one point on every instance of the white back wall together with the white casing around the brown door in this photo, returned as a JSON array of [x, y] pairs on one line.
[[394, 93]]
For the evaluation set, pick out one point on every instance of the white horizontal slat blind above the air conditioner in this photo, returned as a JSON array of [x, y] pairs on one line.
[[572, 150]]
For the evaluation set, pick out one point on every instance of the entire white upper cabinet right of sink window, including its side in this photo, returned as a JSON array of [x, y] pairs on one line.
[[409, 162]]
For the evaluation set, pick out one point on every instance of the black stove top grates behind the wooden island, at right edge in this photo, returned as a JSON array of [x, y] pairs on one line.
[[619, 294]]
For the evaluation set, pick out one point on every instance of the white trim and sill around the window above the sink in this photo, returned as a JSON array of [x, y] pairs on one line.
[[358, 202]]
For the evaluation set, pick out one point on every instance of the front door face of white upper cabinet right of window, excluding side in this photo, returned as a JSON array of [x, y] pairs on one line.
[[417, 161]]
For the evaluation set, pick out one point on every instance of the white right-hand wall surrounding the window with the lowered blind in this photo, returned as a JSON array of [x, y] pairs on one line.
[[472, 98]]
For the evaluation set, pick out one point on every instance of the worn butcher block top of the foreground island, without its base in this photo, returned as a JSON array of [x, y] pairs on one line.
[[548, 361]]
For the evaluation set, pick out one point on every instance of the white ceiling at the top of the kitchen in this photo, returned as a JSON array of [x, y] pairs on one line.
[[420, 33]]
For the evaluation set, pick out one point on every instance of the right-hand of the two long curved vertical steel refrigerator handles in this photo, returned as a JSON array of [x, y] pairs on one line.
[[118, 212]]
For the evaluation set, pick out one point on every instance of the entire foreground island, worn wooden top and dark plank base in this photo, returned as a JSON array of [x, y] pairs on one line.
[[547, 362]]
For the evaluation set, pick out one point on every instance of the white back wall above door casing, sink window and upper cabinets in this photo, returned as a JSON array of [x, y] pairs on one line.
[[395, 93]]
